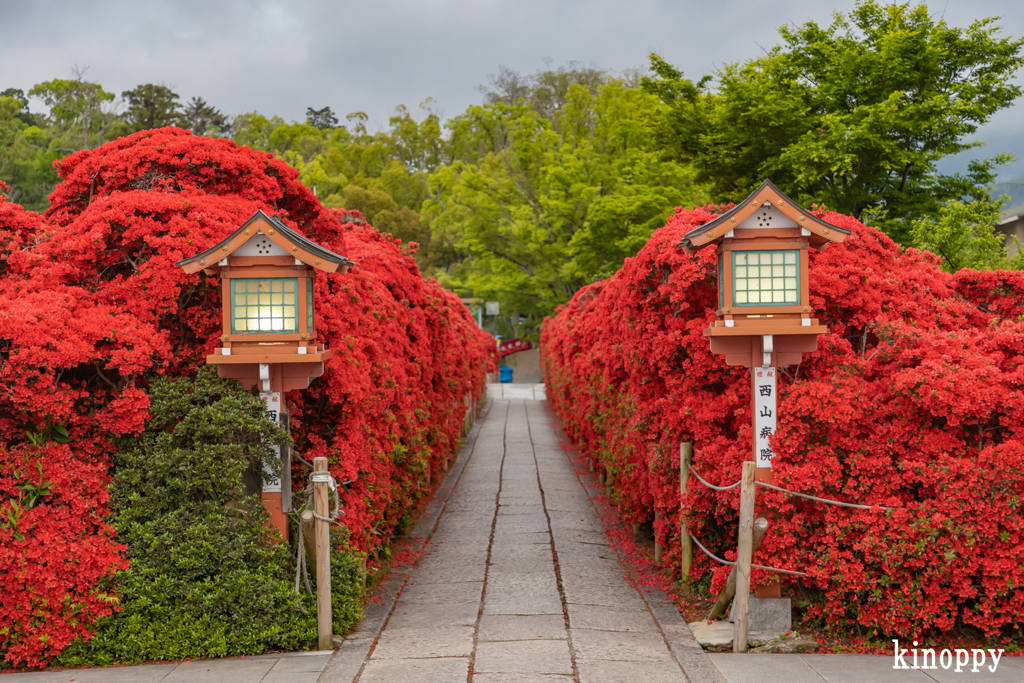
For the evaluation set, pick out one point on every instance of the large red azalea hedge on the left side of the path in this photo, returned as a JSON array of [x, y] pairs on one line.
[[92, 305]]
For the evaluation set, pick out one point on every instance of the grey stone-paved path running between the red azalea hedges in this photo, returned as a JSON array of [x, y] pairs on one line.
[[518, 582]]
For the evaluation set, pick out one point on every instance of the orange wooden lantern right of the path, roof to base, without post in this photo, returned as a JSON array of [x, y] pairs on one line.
[[764, 314]]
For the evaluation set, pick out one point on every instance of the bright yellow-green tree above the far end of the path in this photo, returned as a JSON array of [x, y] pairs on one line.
[[551, 204]]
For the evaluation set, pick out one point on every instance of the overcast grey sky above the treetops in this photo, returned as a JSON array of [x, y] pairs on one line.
[[280, 58]]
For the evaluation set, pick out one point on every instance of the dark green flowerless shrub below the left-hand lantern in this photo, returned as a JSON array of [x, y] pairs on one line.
[[208, 577]]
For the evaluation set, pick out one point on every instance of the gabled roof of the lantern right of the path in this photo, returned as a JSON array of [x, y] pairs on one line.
[[766, 198]]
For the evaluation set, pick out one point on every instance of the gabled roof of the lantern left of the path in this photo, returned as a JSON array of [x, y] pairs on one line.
[[276, 238]]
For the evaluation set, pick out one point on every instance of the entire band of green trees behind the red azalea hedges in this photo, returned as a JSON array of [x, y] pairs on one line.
[[558, 177]]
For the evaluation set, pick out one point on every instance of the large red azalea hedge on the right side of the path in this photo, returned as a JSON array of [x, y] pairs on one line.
[[915, 400]]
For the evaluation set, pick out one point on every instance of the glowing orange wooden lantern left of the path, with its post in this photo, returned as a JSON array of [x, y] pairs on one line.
[[270, 336]]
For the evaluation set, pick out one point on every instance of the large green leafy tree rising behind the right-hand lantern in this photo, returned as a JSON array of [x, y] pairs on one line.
[[856, 115]]
